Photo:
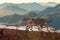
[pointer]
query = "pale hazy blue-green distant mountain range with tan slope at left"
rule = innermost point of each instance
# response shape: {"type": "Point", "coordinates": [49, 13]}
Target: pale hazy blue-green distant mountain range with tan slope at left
{"type": "Point", "coordinates": [21, 9]}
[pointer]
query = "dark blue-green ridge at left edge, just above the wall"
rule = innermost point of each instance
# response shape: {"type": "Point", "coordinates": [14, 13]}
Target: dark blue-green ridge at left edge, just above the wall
{"type": "Point", "coordinates": [11, 18]}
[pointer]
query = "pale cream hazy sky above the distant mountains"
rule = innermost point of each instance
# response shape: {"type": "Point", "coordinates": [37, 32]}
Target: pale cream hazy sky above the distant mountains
{"type": "Point", "coordinates": [28, 1]}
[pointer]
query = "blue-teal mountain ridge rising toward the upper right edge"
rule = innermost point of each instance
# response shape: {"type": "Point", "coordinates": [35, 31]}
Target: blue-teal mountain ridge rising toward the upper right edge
{"type": "Point", "coordinates": [49, 10]}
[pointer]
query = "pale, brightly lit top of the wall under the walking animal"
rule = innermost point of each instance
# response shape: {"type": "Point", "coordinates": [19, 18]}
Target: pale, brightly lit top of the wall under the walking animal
{"type": "Point", "coordinates": [35, 28]}
